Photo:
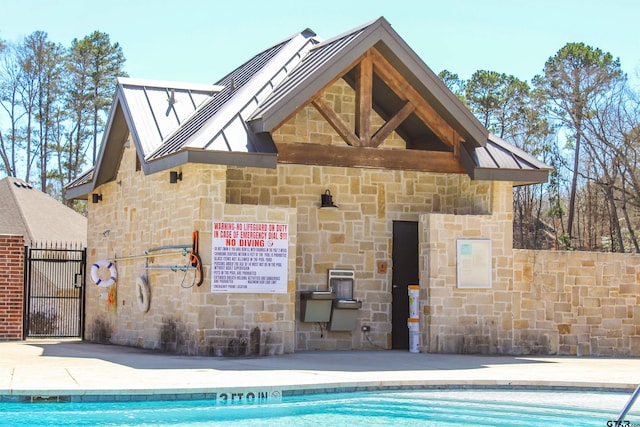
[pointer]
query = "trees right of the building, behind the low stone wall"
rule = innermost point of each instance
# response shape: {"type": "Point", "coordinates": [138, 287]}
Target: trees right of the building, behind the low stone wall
{"type": "Point", "coordinates": [580, 118]}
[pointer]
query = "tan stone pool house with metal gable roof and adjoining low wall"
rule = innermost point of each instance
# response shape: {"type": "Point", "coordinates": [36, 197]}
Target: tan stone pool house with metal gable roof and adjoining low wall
{"type": "Point", "coordinates": [218, 213]}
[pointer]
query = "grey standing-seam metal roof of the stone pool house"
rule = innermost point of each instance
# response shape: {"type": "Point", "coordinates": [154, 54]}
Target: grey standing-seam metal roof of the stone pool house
{"type": "Point", "coordinates": [231, 121]}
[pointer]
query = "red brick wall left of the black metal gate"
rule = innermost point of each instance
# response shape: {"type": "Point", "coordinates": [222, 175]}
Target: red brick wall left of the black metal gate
{"type": "Point", "coordinates": [11, 286]}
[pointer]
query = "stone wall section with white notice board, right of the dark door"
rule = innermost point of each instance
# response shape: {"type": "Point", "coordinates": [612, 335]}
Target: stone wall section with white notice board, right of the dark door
{"type": "Point", "coordinates": [461, 320]}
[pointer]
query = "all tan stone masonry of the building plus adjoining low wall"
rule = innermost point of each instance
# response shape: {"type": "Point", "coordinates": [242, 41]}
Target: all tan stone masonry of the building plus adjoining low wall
{"type": "Point", "coordinates": [538, 303]}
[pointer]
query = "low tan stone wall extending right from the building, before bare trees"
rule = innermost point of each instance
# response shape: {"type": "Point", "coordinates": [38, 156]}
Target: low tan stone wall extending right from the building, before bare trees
{"type": "Point", "coordinates": [576, 303]}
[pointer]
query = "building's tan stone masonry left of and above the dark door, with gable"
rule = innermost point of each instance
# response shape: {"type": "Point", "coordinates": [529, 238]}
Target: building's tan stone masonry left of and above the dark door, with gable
{"type": "Point", "coordinates": [139, 212]}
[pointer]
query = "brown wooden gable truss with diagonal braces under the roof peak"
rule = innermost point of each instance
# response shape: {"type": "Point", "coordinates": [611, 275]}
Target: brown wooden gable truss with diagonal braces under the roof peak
{"type": "Point", "coordinates": [364, 140]}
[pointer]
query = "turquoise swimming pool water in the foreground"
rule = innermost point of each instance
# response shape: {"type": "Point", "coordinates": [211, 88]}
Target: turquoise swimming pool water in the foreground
{"type": "Point", "coordinates": [462, 407]}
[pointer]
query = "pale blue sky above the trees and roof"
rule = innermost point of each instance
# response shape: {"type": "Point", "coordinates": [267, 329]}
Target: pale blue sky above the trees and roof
{"type": "Point", "coordinates": [202, 40]}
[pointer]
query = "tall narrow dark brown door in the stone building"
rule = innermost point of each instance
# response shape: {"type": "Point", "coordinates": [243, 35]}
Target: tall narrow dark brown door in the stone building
{"type": "Point", "coordinates": [405, 273]}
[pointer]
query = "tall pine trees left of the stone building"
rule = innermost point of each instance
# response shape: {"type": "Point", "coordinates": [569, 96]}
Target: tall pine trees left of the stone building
{"type": "Point", "coordinates": [56, 101]}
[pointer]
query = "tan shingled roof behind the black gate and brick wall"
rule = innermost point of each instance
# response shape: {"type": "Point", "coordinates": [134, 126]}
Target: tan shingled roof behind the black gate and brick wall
{"type": "Point", "coordinates": [27, 211]}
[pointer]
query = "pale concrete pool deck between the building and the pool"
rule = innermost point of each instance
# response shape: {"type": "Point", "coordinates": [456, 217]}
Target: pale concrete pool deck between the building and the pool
{"type": "Point", "coordinates": [48, 368]}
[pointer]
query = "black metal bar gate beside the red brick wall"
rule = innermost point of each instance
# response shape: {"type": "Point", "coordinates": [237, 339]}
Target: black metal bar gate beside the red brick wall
{"type": "Point", "coordinates": [54, 278]}
